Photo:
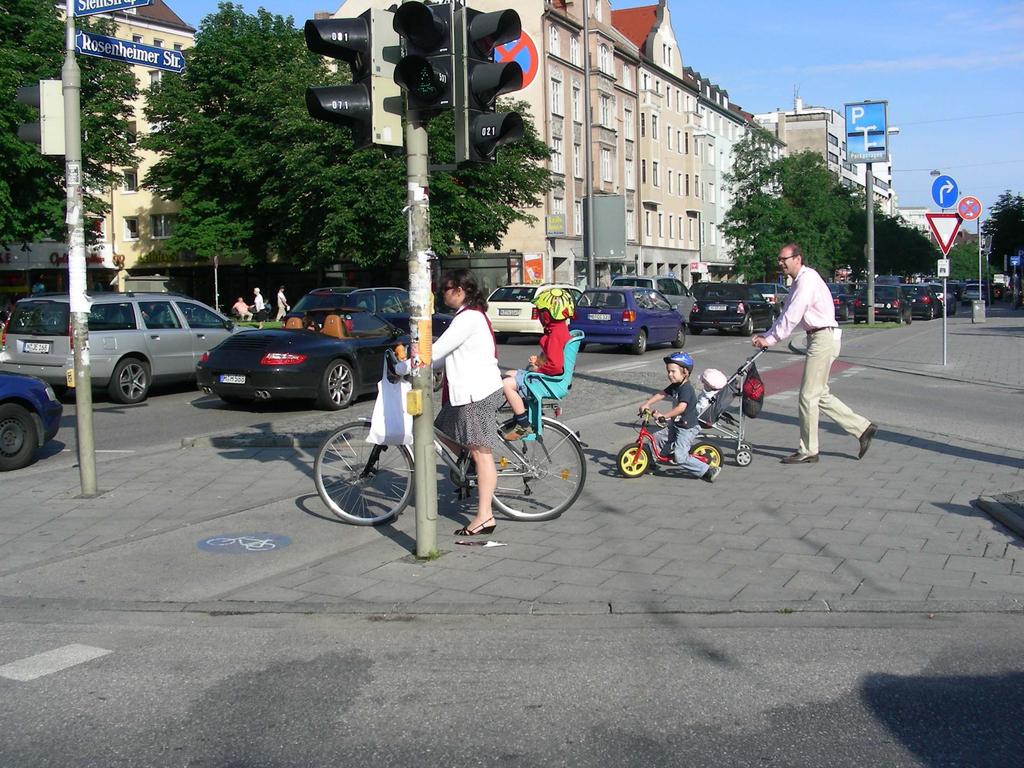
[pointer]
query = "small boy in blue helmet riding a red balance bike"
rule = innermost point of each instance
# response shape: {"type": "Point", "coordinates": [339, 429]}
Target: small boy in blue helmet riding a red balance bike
{"type": "Point", "coordinates": [682, 429]}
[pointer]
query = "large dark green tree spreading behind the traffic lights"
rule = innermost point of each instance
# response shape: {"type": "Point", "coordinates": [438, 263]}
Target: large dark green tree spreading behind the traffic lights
{"type": "Point", "coordinates": [257, 176]}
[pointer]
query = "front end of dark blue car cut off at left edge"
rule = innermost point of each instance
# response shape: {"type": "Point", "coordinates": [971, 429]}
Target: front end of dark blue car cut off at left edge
{"type": "Point", "coordinates": [30, 417]}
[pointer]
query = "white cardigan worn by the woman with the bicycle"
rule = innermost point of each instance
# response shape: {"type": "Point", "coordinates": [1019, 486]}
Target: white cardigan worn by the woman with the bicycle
{"type": "Point", "coordinates": [467, 352]}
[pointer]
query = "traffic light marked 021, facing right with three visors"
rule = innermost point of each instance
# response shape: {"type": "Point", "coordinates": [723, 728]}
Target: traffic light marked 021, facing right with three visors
{"type": "Point", "coordinates": [480, 131]}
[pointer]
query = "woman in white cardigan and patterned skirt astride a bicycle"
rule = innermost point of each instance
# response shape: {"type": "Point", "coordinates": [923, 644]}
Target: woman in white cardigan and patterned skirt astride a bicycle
{"type": "Point", "coordinates": [473, 389]}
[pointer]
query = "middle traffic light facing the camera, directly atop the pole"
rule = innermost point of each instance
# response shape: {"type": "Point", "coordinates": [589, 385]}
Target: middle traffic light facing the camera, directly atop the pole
{"type": "Point", "coordinates": [425, 73]}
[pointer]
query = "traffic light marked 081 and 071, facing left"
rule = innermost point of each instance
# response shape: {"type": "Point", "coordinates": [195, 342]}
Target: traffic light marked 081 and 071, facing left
{"type": "Point", "coordinates": [372, 106]}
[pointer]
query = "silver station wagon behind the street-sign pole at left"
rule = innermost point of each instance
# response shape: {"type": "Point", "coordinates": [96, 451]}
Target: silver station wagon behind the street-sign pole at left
{"type": "Point", "coordinates": [136, 339]}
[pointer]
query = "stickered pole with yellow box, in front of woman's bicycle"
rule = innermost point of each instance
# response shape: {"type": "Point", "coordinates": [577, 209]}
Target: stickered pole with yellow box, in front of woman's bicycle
{"type": "Point", "coordinates": [421, 330]}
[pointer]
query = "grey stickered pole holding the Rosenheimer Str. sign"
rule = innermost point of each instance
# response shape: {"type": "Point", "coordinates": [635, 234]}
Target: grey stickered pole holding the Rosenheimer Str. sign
{"type": "Point", "coordinates": [72, 84]}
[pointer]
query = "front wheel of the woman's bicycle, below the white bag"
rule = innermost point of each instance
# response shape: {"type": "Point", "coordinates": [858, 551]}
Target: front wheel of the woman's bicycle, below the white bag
{"type": "Point", "coordinates": [362, 483]}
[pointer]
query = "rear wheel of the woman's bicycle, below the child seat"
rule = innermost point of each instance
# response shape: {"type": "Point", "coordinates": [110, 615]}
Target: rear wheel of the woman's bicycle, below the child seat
{"type": "Point", "coordinates": [540, 480]}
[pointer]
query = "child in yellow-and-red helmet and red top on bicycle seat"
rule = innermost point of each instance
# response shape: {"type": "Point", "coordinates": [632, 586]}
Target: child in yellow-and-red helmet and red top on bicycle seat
{"type": "Point", "coordinates": [554, 308]}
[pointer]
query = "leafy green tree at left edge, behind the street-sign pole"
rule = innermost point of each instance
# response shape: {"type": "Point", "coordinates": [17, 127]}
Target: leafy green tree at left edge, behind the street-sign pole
{"type": "Point", "coordinates": [32, 187]}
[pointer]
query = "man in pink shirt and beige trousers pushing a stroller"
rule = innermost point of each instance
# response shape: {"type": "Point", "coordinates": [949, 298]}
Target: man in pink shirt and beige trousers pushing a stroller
{"type": "Point", "coordinates": [810, 309]}
